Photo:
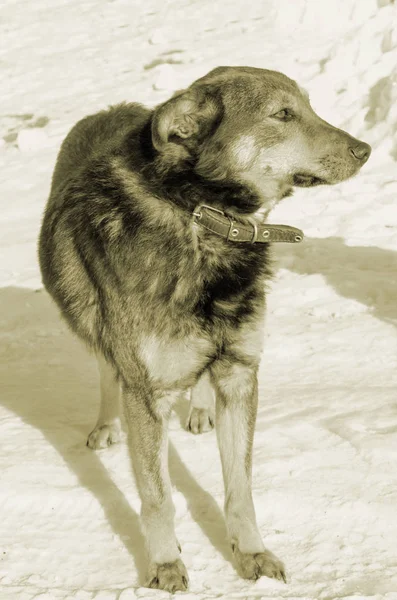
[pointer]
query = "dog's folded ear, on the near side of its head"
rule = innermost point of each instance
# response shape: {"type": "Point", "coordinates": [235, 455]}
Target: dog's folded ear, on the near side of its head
{"type": "Point", "coordinates": [180, 124]}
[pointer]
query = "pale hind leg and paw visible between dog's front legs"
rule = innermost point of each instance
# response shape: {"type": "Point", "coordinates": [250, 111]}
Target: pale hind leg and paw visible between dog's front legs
{"type": "Point", "coordinates": [202, 406]}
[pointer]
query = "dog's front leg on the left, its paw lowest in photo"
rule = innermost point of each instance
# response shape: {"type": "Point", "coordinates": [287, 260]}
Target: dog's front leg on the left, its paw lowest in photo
{"type": "Point", "coordinates": [147, 420]}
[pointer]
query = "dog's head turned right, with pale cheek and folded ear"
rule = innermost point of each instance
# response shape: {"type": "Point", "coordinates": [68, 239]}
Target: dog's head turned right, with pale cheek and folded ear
{"type": "Point", "coordinates": [255, 125]}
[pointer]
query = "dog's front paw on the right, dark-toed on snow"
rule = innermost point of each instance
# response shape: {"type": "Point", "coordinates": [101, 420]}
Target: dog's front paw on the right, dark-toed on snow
{"type": "Point", "coordinates": [253, 566]}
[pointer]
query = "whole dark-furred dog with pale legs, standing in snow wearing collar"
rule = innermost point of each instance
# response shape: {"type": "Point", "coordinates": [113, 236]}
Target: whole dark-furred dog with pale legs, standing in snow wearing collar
{"type": "Point", "coordinates": [154, 245]}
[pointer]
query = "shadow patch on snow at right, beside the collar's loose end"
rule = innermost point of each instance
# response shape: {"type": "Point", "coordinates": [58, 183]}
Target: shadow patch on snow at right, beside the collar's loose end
{"type": "Point", "coordinates": [366, 274]}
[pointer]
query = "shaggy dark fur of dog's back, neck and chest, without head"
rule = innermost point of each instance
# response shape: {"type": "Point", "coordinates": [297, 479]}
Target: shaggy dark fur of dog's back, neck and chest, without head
{"type": "Point", "coordinates": [117, 249]}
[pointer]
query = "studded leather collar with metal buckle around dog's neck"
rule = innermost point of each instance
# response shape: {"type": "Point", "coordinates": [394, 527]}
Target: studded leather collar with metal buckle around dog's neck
{"type": "Point", "coordinates": [234, 230]}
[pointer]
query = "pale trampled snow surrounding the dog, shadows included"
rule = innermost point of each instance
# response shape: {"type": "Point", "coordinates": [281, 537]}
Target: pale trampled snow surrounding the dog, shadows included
{"type": "Point", "coordinates": [325, 476]}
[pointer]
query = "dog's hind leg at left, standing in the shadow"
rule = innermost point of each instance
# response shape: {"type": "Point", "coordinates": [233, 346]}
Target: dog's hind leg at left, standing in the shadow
{"type": "Point", "coordinates": [108, 428]}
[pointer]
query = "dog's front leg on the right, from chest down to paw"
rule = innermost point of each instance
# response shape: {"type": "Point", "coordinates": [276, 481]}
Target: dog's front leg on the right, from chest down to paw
{"type": "Point", "coordinates": [236, 407]}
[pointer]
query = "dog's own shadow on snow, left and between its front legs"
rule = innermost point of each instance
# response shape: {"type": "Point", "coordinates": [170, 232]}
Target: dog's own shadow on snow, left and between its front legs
{"type": "Point", "coordinates": [50, 381]}
